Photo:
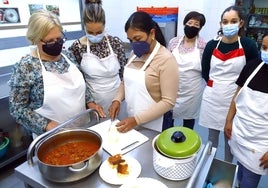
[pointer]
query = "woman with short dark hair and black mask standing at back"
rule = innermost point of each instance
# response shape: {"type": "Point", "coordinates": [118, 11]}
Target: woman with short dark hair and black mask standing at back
{"type": "Point", "coordinates": [188, 50]}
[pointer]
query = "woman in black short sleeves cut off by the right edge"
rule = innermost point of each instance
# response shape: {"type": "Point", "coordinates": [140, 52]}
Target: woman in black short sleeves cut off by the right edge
{"type": "Point", "coordinates": [247, 121]}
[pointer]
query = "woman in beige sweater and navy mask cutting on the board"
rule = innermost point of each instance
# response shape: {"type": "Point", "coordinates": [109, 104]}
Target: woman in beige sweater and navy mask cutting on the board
{"type": "Point", "coordinates": [150, 80]}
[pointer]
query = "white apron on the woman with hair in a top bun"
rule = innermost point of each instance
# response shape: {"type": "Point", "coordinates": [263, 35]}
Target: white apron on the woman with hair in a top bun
{"type": "Point", "coordinates": [102, 76]}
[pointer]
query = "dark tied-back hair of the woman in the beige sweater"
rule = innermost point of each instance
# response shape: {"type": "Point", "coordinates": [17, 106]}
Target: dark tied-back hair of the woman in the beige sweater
{"type": "Point", "coordinates": [143, 21]}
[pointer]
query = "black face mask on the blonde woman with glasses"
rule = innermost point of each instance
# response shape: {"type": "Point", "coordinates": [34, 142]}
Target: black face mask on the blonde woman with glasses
{"type": "Point", "coordinates": [53, 49]}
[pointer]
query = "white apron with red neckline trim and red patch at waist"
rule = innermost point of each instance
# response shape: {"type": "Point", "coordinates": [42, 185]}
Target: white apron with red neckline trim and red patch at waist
{"type": "Point", "coordinates": [217, 95]}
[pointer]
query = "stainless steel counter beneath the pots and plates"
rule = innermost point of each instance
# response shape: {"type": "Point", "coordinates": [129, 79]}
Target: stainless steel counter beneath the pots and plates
{"type": "Point", "coordinates": [32, 176]}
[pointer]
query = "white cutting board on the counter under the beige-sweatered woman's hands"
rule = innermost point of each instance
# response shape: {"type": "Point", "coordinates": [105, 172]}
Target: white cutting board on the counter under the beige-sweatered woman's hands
{"type": "Point", "coordinates": [115, 142]}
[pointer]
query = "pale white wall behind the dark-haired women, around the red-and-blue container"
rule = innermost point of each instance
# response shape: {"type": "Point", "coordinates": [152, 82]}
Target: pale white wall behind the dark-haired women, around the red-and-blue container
{"type": "Point", "coordinates": [118, 11]}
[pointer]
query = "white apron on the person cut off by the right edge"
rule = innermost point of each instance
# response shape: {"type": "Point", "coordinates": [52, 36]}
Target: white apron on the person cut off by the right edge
{"type": "Point", "coordinates": [249, 141]}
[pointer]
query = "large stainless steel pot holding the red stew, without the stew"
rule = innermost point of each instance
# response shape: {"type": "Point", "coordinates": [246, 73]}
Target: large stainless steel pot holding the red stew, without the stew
{"type": "Point", "coordinates": [61, 135]}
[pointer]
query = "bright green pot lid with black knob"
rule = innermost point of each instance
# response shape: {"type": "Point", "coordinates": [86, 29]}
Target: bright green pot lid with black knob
{"type": "Point", "coordinates": [178, 142]}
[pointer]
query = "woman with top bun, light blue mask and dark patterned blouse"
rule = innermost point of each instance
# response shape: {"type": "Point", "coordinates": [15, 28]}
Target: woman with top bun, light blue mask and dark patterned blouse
{"type": "Point", "coordinates": [101, 56]}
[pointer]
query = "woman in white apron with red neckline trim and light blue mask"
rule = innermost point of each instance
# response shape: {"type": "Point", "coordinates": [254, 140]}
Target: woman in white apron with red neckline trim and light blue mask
{"type": "Point", "coordinates": [222, 62]}
